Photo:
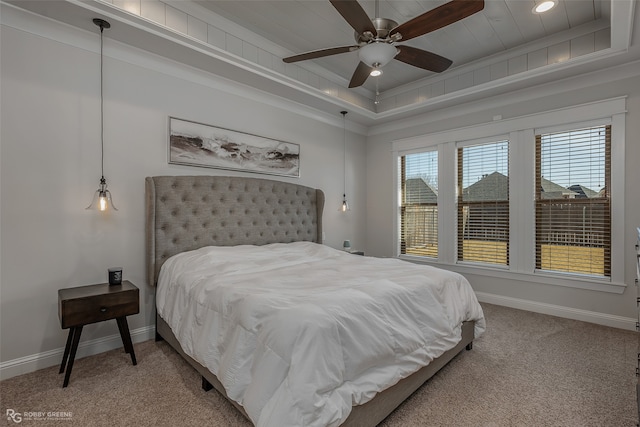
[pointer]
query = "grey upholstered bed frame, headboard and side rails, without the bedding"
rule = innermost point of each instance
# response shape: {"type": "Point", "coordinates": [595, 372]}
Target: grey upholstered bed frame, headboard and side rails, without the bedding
{"type": "Point", "coordinates": [188, 212]}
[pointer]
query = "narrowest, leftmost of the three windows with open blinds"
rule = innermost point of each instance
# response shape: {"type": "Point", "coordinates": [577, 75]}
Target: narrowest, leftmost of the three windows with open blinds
{"type": "Point", "coordinates": [419, 204]}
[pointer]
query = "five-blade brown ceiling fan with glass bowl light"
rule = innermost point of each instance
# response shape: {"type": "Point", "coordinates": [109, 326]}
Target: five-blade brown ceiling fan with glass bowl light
{"type": "Point", "coordinates": [376, 38]}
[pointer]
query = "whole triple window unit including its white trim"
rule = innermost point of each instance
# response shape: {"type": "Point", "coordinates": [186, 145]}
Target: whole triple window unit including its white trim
{"type": "Point", "coordinates": [537, 198]}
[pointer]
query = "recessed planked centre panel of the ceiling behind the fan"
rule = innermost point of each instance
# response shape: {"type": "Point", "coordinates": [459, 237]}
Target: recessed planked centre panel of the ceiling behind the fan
{"type": "Point", "coordinates": [305, 25]}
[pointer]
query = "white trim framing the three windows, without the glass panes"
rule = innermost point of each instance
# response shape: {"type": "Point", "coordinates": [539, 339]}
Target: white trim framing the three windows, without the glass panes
{"type": "Point", "coordinates": [520, 132]}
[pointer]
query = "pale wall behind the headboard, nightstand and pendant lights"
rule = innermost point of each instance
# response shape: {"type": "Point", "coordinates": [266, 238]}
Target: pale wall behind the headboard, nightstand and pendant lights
{"type": "Point", "coordinates": [50, 167]}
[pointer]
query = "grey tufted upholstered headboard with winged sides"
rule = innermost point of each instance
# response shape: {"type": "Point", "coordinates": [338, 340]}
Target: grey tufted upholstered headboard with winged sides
{"type": "Point", "coordinates": [188, 212]}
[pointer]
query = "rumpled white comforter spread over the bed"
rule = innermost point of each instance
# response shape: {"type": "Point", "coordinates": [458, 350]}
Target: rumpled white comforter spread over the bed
{"type": "Point", "coordinates": [298, 333]}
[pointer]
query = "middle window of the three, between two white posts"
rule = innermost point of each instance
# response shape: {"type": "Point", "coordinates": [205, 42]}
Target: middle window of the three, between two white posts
{"type": "Point", "coordinates": [483, 203]}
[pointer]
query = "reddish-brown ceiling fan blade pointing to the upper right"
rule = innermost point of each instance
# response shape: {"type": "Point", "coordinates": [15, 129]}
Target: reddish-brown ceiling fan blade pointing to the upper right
{"type": "Point", "coordinates": [437, 18]}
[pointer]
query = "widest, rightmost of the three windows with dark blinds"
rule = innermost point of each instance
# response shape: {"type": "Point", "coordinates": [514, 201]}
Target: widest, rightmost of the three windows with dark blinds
{"type": "Point", "coordinates": [573, 211]}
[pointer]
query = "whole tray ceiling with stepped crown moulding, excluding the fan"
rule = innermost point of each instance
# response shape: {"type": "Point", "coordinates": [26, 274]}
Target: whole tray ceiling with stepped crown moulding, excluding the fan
{"type": "Point", "coordinates": [503, 48]}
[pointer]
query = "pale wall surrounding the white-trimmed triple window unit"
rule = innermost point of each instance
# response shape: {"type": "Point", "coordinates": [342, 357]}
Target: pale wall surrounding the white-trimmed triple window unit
{"type": "Point", "coordinates": [601, 307]}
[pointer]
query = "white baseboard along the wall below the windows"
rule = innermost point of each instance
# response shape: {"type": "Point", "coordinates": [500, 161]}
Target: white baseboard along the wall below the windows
{"type": "Point", "coordinates": [560, 311]}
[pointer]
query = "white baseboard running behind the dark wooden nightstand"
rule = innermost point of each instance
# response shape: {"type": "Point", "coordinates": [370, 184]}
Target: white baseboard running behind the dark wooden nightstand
{"type": "Point", "coordinates": [24, 365]}
